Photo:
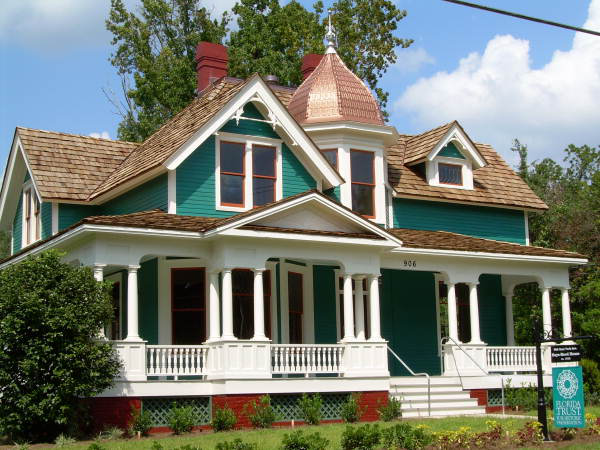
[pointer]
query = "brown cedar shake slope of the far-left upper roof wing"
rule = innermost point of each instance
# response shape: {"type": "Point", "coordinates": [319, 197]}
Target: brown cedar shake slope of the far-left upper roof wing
{"type": "Point", "coordinates": [69, 166]}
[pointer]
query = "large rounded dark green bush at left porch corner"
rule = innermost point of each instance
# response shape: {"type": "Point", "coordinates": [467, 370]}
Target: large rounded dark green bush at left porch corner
{"type": "Point", "coordinates": [50, 357]}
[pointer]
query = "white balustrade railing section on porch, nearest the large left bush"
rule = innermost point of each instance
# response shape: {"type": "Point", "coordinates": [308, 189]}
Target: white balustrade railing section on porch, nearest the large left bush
{"type": "Point", "coordinates": [176, 360]}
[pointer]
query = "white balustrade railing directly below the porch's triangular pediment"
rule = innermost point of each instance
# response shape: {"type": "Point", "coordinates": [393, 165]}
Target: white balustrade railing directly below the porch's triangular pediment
{"type": "Point", "coordinates": [306, 358]}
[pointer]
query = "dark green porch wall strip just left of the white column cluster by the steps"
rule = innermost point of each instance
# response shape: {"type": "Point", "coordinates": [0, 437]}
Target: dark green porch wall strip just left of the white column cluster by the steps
{"type": "Point", "coordinates": [324, 304]}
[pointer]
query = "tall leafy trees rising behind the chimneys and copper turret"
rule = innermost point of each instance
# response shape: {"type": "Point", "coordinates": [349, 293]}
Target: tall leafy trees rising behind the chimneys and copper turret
{"type": "Point", "coordinates": [155, 48]}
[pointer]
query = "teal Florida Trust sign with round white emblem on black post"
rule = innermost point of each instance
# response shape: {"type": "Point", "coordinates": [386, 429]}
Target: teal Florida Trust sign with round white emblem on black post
{"type": "Point", "coordinates": [567, 384]}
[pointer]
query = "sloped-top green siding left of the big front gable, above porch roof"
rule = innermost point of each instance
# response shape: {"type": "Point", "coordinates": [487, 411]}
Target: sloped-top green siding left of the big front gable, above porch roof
{"type": "Point", "coordinates": [150, 195]}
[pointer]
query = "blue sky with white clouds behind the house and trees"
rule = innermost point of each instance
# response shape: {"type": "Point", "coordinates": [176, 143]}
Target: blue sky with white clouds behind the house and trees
{"type": "Point", "coordinates": [500, 77]}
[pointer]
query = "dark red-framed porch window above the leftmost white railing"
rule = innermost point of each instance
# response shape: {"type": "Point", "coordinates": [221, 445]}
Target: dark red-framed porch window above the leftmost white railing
{"type": "Point", "coordinates": [188, 306]}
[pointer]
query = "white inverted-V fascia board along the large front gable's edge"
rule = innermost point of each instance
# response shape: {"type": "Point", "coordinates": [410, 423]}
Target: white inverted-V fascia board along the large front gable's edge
{"type": "Point", "coordinates": [256, 86]}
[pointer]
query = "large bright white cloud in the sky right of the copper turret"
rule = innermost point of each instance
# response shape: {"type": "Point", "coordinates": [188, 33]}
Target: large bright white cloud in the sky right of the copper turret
{"type": "Point", "coordinates": [498, 96]}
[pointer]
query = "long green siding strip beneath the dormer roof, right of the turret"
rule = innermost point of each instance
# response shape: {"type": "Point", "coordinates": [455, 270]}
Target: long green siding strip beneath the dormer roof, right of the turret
{"type": "Point", "coordinates": [479, 221]}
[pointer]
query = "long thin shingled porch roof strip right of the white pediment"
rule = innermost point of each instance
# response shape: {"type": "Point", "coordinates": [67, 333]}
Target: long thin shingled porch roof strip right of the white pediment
{"type": "Point", "coordinates": [444, 240]}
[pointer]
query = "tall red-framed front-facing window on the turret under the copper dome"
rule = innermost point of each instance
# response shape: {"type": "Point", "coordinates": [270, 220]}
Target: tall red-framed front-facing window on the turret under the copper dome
{"type": "Point", "coordinates": [363, 182]}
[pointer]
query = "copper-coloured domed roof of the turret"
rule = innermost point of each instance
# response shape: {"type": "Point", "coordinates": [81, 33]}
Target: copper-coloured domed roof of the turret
{"type": "Point", "coordinates": [333, 93]}
